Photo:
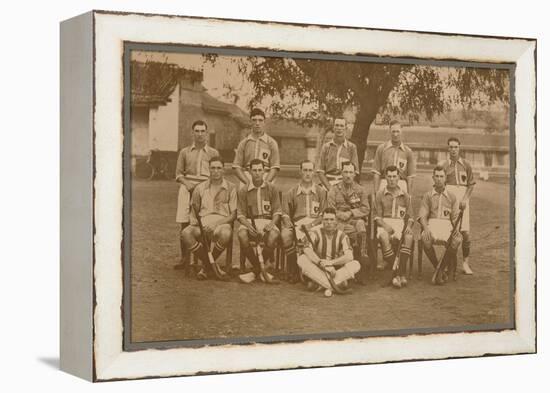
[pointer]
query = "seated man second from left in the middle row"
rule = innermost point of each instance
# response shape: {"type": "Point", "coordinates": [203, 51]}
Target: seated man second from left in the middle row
{"type": "Point", "coordinates": [258, 200]}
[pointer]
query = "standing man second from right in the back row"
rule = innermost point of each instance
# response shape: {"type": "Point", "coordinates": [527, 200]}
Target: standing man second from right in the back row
{"type": "Point", "coordinates": [394, 152]}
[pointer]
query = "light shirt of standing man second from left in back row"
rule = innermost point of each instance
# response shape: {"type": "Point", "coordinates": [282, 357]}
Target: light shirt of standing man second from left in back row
{"type": "Point", "coordinates": [264, 148]}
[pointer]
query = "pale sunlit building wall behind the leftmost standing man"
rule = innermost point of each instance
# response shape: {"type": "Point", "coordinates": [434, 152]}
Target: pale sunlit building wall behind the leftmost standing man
{"type": "Point", "coordinates": [163, 125]}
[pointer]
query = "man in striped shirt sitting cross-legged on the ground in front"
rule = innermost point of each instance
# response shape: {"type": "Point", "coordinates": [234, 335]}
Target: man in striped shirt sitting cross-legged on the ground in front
{"type": "Point", "coordinates": [330, 253]}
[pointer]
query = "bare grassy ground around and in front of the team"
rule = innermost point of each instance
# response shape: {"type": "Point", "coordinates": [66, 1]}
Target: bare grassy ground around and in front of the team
{"type": "Point", "coordinates": [167, 306]}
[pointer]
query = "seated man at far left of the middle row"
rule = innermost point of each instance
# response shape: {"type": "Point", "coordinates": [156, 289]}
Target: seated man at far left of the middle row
{"type": "Point", "coordinates": [215, 200]}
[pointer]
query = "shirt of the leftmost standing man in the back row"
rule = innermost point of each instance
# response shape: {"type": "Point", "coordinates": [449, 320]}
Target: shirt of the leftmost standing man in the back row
{"type": "Point", "coordinates": [194, 163]}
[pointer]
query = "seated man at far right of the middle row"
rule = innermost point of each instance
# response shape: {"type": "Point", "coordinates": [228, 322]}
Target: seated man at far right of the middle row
{"type": "Point", "coordinates": [438, 212]}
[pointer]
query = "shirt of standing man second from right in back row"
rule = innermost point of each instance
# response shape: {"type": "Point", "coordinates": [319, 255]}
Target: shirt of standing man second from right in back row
{"type": "Point", "coordinates": [401, 156]}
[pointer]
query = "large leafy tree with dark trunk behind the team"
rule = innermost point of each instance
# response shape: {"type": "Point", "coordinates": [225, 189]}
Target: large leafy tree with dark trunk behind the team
{"type": "Point", "coordinates": [298, 88]}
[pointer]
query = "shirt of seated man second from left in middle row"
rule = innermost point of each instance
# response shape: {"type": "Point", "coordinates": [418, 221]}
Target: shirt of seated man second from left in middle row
{"type": "Point", "coordinates": [263, 201]}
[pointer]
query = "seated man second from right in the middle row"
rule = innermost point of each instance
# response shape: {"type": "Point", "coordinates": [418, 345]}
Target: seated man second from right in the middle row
{"type": "Point", "coordinates": [392, 206]}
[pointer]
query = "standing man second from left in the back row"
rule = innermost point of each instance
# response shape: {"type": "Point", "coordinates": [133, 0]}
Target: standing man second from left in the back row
{"type": "Point", "coordinates": [260, 146]}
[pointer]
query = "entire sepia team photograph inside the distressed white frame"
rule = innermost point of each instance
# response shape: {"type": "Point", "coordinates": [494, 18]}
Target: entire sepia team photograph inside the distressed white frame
{"type": "Point", "coordinates": [284, 198]}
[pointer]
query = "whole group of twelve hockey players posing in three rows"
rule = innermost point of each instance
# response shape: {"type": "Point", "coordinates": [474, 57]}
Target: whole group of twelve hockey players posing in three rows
{"type": "Point", "coordinates": [332, 213]}
